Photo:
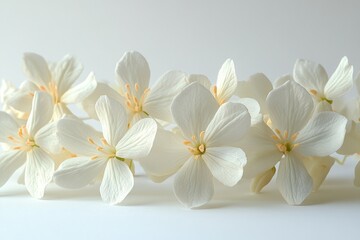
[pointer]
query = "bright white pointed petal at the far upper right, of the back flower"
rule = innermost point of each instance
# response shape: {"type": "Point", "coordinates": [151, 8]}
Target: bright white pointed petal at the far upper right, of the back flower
{"type": "Point", "coordinates": [341, 81]}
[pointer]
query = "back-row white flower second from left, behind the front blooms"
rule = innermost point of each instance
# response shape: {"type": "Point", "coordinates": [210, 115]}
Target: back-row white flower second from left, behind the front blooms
{"type": "Point", "coordinates": [132, 90]}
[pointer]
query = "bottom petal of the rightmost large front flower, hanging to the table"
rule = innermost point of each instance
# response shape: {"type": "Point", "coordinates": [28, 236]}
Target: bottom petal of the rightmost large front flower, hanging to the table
{"type": "Point", "coordinates": [293, 180]}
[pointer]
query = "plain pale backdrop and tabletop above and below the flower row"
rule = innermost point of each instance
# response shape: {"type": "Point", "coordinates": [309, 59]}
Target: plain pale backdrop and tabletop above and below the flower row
{"type": "Point", "coordinates": [196, 37]}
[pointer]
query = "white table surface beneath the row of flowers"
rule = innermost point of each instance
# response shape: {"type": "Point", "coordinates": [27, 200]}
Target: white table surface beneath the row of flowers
{"type": "Point", "coordinates": [152, 212]}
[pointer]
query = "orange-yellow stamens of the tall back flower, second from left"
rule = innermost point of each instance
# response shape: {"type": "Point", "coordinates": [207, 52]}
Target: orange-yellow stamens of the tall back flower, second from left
{"type": "Point", "coordinates": [135, 100]}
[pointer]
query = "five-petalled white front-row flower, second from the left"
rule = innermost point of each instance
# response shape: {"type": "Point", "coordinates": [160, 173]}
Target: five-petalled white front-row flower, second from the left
{"type": "Point", "coordinates": [105, 156]}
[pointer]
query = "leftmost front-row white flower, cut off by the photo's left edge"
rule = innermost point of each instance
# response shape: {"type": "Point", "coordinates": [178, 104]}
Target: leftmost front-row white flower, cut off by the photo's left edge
{"type": "Point", "coordinates": [30, 144]}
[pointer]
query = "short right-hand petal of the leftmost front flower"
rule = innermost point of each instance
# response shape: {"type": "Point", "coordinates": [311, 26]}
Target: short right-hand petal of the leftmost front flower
{"type": "Point", "coordinates": [47, 138]}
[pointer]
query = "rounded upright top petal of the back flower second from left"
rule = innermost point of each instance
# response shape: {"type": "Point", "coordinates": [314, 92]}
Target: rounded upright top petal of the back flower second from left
{"type": "Point", "coordinates": [133, 68]}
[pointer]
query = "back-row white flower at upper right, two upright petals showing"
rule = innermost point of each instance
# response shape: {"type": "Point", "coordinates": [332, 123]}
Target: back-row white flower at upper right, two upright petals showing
{"type": "Point", "coordinates": [324, 90]}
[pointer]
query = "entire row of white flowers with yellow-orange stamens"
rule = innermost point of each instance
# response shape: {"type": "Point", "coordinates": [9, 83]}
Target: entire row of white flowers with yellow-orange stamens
{"type": "Point", "coordinates": [181, 126]}
